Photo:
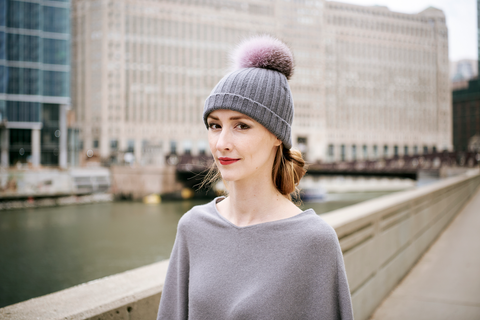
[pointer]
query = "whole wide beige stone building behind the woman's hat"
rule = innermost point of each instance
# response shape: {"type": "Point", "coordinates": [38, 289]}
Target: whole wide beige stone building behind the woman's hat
{"type": "Point", "coordinates": [365, 76]}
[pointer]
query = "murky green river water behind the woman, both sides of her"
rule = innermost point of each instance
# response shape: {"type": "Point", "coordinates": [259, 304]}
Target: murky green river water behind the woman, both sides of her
{"type": "Point", "coordinates": [43, 250]}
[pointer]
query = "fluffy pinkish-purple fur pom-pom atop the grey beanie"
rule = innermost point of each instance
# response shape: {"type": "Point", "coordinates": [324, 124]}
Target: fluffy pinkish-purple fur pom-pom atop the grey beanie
{"type": "Point", "coordinates": [264, 52]}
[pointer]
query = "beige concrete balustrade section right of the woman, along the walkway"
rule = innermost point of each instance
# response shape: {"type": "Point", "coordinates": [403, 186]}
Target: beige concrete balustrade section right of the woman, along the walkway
{"type": "Point", "coordinates": [381, 239]}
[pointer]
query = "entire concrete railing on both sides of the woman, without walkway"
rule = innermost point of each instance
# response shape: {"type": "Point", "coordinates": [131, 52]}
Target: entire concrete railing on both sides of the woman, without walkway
{"type": "Point", "coordinates": [381, 240]}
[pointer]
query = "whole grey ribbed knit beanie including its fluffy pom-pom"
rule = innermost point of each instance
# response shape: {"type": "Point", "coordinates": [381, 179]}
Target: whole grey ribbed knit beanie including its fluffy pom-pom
{"type": "Point", "coordinates": [258, 87]}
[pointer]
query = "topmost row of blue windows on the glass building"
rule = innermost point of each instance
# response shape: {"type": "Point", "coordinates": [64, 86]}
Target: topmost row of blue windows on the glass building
{"type": "Point", "coordinates": [34, 16]}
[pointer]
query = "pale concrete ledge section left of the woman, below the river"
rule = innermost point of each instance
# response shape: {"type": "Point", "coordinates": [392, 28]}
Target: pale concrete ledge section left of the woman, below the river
{"type": "Point", "coordinates": [113, 294]}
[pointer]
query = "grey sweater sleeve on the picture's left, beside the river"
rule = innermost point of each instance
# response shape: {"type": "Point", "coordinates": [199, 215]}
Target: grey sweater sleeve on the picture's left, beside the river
{"type": "Point", "coordinates": [174, 298]}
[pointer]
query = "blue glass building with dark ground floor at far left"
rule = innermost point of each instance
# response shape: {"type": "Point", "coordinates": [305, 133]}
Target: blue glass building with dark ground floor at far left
{"type": "Point", "coordinates": [34, 81]}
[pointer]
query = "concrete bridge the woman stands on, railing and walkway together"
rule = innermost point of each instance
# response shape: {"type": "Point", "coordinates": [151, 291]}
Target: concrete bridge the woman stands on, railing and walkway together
{"type": "Point", "coordinates": [383, 241]}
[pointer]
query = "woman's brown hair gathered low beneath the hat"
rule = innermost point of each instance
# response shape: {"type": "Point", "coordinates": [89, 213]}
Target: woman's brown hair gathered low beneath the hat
{"type": "Point", "coordinates": [287, 171]}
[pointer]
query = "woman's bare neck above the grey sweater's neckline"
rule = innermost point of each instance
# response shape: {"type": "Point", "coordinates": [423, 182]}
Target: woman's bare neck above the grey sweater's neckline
{"type": "Point", "coordinates": [256, 202]}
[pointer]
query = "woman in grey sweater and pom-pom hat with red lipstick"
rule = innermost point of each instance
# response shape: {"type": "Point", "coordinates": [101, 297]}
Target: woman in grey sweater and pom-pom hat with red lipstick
{"type": "Point", "coordinates": [254, 254]}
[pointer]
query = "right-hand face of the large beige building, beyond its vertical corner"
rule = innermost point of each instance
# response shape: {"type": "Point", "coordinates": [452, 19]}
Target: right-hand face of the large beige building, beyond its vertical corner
{"type": "Point", "coordinates": [387, 85]}
